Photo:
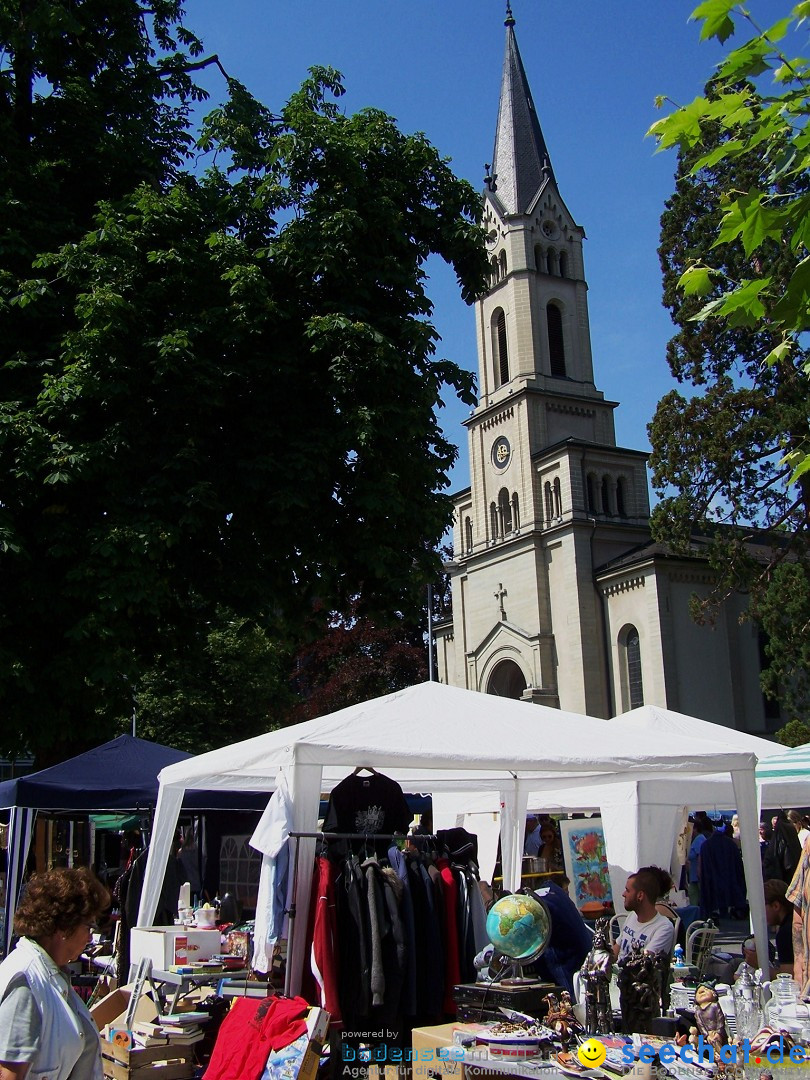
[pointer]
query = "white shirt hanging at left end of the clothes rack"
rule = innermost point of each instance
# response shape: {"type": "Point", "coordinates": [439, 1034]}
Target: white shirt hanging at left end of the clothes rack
{"type": "Point", "coordinates": [272, 839]}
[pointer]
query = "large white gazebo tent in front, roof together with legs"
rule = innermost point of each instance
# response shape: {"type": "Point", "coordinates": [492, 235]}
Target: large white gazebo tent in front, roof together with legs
{"type": "Point", "coordinates": [436, 738]}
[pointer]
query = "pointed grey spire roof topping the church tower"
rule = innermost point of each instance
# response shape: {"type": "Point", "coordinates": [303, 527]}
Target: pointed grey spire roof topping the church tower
{"type": "Point", "coordinates": [521, 163]}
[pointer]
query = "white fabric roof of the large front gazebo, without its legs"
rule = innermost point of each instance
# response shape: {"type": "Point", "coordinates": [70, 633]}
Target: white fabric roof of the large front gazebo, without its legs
{"type": "Point", "coordinates": [433, 737]}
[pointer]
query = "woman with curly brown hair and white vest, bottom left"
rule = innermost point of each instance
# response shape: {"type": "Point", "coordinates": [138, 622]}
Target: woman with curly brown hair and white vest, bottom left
{"type": "Point", "coordinates": [46, 1030]}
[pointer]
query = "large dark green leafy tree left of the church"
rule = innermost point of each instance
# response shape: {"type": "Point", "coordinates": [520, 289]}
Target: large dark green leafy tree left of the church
{"type": "Point", "coordinates": [220, 387]}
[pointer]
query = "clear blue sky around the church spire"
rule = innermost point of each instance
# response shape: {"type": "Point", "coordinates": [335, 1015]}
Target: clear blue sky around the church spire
{"type": "Point", "coordinates": [595, 70]}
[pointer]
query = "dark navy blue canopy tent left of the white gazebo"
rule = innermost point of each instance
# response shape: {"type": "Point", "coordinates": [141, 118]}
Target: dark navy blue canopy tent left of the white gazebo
{"type": "Point", "coordinates": [120, 775]}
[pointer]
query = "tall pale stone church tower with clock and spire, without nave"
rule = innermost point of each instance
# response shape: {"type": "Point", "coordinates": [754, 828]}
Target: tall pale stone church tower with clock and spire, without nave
{"type": "Point", "coordinates": [552, 497]}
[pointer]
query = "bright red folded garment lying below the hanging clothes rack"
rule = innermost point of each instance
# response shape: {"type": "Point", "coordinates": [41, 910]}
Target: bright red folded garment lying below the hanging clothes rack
{"type": "Point", "coordinates": [253, 1028]}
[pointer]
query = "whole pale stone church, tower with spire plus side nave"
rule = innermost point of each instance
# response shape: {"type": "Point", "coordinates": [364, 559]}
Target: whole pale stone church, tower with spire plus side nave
{"type": "Point", "coordinates": [560, 596]}
